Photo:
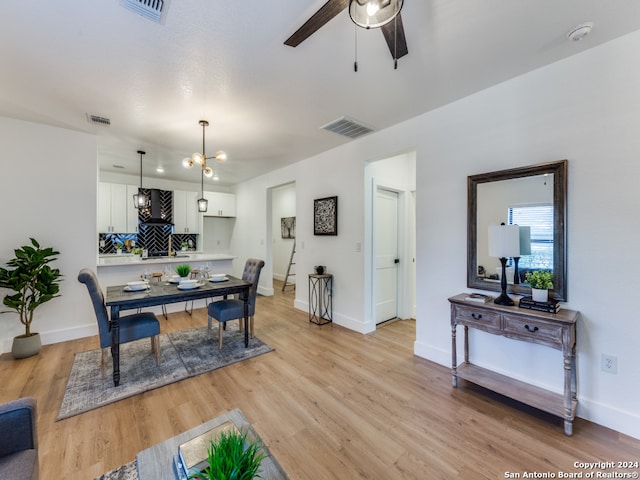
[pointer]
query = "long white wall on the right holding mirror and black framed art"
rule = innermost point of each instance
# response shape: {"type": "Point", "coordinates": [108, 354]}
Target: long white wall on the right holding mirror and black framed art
{"type": "Point", "coordinates": [584, 109]}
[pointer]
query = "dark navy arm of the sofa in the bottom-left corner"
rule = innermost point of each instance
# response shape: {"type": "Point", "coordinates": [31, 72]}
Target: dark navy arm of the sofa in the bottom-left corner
{"type": "Point", "coordinates": [18, 422]}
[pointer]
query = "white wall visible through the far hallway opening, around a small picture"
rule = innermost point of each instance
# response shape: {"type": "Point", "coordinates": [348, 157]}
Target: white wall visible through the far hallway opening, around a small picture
{"type": "Point", "coordinates": [283, 204]}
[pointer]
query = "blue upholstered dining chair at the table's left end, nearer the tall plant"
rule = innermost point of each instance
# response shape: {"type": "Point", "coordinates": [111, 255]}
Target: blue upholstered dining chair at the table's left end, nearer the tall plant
{"type": "Point", "coordinates": [132, 327]}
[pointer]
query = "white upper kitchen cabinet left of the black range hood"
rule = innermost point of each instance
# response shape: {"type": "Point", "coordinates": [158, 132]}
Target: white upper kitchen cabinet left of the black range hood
{"type": "Point", "coordinates": [116, 213]}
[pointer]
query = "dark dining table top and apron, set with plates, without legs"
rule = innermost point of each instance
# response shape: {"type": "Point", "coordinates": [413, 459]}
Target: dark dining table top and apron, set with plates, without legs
{"type": "Point", "coordinates": [165, 292]}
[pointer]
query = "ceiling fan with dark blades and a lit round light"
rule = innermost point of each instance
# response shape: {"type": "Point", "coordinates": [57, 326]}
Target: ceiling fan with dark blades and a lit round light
{"type": "Point", "coordinates": [364, 13]}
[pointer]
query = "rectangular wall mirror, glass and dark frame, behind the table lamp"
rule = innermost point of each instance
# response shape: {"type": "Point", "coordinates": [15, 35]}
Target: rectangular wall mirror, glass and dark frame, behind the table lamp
{"type": "Point", "coordinates": [533, 197]}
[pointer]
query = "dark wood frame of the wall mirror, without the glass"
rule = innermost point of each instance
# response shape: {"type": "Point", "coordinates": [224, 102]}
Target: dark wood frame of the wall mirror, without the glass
{"type": "Point", "coordinates": [559, 171]}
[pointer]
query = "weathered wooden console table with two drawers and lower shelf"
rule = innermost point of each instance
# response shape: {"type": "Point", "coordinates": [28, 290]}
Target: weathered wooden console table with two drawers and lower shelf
{"type": "Point", "coordinates": [553, 330]}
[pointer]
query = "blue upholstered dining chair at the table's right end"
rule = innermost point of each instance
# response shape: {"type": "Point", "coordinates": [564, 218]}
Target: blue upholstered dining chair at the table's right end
{"type": "Point", "coordinates": [233, 309]}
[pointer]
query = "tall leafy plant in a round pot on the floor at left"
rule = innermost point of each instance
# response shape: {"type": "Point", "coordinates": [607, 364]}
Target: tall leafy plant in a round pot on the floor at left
{"type": "Point", "coordinates": [34, 283]}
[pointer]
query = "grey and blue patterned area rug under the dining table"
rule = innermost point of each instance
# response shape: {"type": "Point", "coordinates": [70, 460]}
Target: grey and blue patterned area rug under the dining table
{"type": "Point", "coordinates": [184, 354]}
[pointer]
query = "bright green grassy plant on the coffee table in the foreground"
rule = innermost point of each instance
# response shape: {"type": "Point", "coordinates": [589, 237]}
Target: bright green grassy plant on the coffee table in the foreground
{"type": "Point", "coordinates": [231, 457]}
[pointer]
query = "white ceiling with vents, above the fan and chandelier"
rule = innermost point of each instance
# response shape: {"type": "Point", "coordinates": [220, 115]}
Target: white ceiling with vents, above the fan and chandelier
{"type": "Point", "coordinates": [225, 61]}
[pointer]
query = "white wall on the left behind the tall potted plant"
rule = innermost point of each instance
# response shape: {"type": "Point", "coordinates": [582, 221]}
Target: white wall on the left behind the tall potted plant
{"type": "Point", "coordinates": [48, 191]}
